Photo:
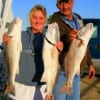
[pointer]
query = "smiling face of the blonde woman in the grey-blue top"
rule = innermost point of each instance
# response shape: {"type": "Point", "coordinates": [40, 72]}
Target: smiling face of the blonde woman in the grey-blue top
{"type": "Point", "coordinates": [38, 21]}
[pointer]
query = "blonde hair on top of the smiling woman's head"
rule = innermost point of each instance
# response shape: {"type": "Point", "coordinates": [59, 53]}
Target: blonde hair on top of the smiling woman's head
{"type": "Point", "coordinates": [37, 8]}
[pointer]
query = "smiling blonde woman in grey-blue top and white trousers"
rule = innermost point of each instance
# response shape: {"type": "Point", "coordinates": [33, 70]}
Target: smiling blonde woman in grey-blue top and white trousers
{"type": "Point", "coordinates": [28, 85]}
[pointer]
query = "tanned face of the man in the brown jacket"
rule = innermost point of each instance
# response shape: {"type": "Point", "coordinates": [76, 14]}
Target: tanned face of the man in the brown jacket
{"type": "Point", "coordinates": [65, 7]}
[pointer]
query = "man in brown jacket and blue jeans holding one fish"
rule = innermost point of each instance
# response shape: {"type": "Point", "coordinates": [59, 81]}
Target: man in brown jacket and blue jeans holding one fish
{"type": "Point", "coordinates": [69, 24]}
